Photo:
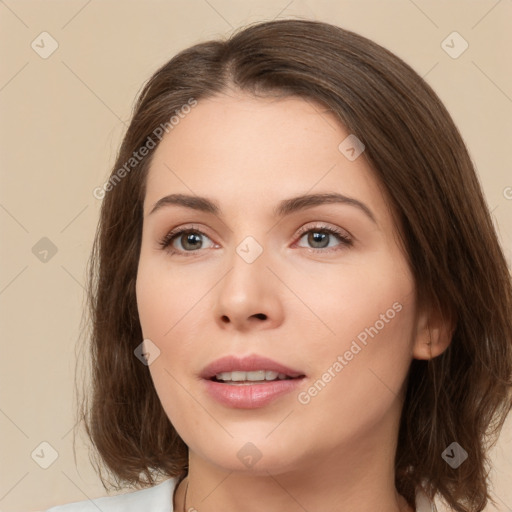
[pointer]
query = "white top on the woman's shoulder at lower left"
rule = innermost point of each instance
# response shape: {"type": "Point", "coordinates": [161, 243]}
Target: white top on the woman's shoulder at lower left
{"type": "Point", "coordinates": [153, 499]}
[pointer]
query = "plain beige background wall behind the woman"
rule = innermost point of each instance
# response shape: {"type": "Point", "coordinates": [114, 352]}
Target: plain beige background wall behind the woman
{"type": "Point", "coordinates": [62, 118]}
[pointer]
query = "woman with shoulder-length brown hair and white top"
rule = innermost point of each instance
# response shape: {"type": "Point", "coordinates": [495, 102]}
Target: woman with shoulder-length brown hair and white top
{"type": "Point", "coordinates": [298, 298]}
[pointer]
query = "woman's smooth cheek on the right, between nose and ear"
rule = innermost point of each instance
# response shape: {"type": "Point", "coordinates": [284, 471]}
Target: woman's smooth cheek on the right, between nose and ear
{"type": "Point", "coordinates": [368, 316]}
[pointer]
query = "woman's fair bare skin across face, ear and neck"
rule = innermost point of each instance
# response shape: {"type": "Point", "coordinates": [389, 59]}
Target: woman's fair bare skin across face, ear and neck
{"type": "Point", "coordinates": [299, 307]}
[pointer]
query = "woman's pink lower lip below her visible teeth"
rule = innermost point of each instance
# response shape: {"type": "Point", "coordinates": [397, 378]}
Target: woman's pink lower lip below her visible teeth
{"type": "Point", "coordinates": [250, 396]}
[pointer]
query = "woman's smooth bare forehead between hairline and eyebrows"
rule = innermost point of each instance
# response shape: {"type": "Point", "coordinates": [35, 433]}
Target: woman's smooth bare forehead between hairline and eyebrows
{"type": "Point", "coordinates": [250, 149]}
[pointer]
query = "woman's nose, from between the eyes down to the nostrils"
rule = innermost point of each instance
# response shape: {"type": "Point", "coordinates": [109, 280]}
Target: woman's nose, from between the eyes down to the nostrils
{"type": "Point", "coordinates": [249, 297]}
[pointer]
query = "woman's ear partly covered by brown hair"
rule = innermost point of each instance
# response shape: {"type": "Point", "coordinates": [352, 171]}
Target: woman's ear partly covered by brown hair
{"type": "Point", "coordinates": [434, 334]}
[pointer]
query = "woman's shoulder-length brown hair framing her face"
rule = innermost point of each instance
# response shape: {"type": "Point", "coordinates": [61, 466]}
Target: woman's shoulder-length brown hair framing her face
{"type": "Point", "coordinates": [419, 157]}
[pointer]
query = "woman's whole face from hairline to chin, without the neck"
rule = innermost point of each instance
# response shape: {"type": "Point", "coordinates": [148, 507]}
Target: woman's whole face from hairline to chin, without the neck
{"type": "Point", "coordinates": [260, 275]}
